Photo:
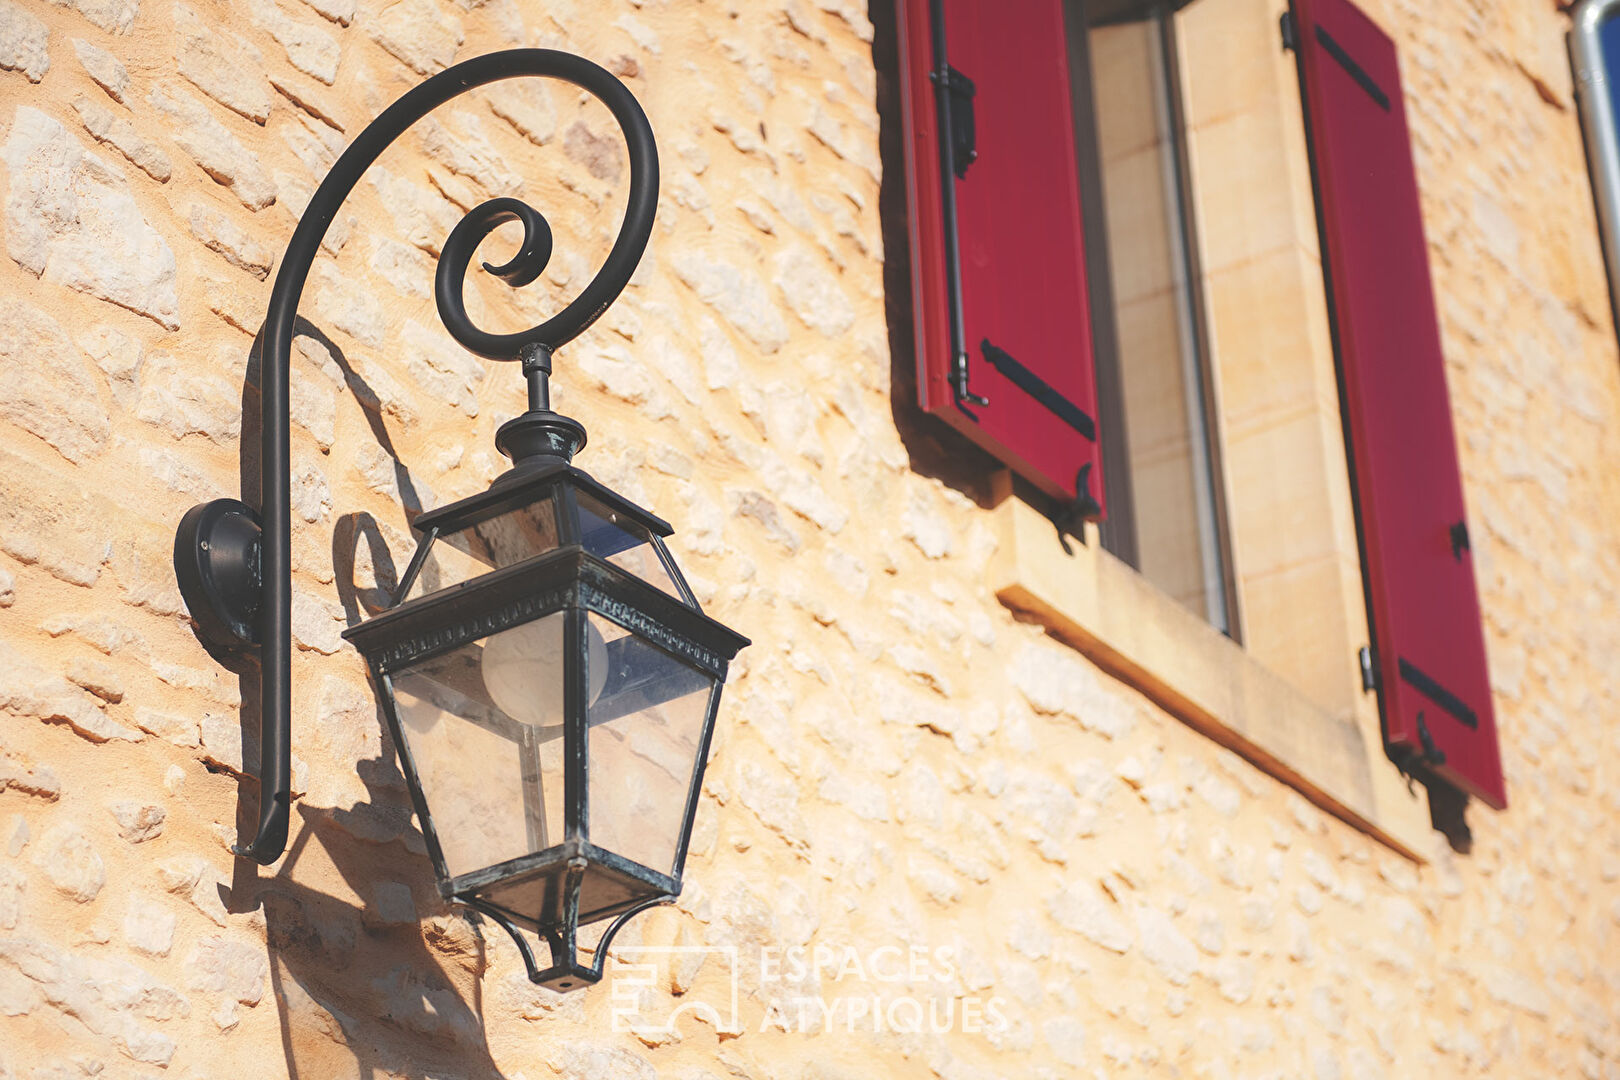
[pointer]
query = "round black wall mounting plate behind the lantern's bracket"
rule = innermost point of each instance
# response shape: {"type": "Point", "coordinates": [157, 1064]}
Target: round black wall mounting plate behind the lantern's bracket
{"type": "Point", "coordinates": [218, 566]}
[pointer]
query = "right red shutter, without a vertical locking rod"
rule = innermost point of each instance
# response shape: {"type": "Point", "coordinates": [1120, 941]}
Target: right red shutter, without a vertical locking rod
{"type": "Point", "coordinates": [1426, 627]}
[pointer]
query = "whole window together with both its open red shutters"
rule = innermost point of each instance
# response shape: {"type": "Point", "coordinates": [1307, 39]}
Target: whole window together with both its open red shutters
{"type": "Point", "coordinates": [1180, 287]}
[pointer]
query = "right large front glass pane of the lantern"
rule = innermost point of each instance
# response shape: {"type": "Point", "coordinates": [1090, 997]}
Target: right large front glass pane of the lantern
{"type": "Point", "coordinates": [646, 736]}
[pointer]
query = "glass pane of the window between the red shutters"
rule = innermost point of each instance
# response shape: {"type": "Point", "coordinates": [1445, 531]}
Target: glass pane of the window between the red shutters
{"type": "Point", "coordinates": [1154, 281]}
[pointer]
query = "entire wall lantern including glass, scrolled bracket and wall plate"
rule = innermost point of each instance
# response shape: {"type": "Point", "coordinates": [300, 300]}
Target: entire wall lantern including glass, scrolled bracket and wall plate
{"type": "Point", "coordinates": [553, 686]}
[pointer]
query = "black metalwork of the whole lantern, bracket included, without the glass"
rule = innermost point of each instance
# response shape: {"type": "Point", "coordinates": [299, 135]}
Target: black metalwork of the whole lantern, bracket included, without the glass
{"type": "Point", "coordinates": [234, 564]}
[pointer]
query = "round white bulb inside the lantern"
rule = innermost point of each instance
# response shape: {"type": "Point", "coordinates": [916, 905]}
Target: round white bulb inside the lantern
{"type": "Point", "coordinates": [524, 670]}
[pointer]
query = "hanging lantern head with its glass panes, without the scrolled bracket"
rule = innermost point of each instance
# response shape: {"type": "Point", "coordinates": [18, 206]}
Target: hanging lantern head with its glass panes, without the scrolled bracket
{"type": "Point", "coordinates": [553, 699]}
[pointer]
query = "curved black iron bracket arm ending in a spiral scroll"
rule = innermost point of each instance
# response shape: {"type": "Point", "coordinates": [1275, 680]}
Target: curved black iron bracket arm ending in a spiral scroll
{"type": "Point", "coordinates": [276, 614]}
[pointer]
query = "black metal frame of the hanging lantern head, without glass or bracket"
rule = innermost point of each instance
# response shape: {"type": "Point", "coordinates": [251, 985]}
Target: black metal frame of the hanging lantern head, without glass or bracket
{"type": "Point", "coordinates": [573, 580]}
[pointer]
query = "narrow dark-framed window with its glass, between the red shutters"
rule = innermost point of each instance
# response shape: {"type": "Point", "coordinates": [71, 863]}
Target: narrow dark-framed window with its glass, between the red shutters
{"type": "Point", "coordinates": [1159, 451]}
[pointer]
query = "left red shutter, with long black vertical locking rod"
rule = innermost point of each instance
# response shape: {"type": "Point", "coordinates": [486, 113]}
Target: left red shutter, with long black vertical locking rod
{"type": "Point", "coordinates": [1026, 317]}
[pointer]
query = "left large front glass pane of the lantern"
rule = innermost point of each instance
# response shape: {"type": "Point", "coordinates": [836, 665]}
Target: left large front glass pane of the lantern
{"type": "Point", "coordinates": [484, 725]}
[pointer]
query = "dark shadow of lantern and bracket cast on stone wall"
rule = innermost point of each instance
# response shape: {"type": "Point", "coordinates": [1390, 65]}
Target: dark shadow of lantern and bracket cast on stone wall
{"type": "Point", "coordinates": [356, 992]}
